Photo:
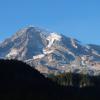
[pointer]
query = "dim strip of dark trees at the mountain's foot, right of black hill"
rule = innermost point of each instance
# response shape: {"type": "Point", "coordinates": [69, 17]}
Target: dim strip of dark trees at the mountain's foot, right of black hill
{"type": "Point", "coordinates": [75, 80]}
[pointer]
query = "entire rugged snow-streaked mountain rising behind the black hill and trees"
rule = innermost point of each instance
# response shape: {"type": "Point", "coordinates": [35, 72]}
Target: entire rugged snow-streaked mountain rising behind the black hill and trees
{"type": "Point", "coordinates": [50, 52]}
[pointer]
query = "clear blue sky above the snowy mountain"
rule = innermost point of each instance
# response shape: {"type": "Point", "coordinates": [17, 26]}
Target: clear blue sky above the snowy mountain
{"type": "Point", "coordinates": [75, 18]}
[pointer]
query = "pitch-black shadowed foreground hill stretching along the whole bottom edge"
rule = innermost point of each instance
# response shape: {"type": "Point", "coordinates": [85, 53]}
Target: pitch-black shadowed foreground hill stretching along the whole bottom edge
{"type": "Point", "coordinates": [20, 81]}
